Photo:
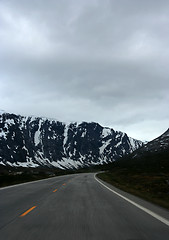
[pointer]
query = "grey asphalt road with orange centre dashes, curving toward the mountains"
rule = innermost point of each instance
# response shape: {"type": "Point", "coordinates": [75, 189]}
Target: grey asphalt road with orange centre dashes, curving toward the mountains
{"type": "Point", "coordinates": [77, 207]}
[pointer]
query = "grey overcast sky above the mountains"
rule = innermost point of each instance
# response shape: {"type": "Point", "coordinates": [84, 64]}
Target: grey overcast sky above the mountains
{"type": "Point", "coordinates": [87, 60]}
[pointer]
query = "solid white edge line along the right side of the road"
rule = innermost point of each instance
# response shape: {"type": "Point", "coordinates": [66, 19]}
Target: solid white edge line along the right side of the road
{"type": "Point", "coordinates": [158, 217]}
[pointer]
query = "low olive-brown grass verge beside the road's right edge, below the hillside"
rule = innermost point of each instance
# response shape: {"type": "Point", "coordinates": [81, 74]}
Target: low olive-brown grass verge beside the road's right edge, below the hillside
{"type": "Point", "coordinates": [153, 187]}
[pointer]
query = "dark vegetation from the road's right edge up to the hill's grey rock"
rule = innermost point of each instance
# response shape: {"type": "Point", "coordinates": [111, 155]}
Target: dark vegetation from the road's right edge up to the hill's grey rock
{"type": "Point", "coordinates": [146, 176]}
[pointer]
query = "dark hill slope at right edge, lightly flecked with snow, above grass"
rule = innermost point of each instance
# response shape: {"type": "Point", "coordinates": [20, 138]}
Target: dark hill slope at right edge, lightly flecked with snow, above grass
{"type": "Point", "coordinates": [152, 157]}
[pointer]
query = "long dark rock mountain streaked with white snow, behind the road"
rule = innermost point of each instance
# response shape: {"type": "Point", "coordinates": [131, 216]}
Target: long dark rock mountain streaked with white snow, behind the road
{"type": "Point", "coordinates": [35, 141]}
